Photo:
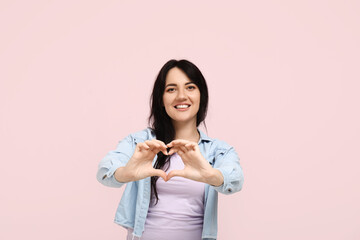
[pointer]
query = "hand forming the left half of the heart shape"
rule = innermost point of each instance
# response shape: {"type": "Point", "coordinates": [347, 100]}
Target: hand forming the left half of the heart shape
{"type": "Point", "coordinates": [140, 164]}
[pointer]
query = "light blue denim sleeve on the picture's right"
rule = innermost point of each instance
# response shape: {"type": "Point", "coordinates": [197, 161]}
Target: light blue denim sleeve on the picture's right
{"type": "Point", "coordinates": [228, 163]}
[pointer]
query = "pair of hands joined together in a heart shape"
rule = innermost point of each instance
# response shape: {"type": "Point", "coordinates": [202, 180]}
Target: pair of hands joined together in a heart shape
{"type": "Point", "coordinates": [196, 167]}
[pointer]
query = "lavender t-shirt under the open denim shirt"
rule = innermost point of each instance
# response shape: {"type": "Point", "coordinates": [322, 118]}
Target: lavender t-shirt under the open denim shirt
{"type": "Point", "coordinates": [179, 213]}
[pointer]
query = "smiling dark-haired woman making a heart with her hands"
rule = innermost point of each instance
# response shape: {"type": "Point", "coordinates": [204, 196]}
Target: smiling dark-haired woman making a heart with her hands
{"type": "Point", "coordinates": [173, 170]}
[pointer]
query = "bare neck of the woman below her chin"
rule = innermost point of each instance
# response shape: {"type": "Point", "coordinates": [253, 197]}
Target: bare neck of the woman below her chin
{"type": "Point", "coordinates": [187, 131]}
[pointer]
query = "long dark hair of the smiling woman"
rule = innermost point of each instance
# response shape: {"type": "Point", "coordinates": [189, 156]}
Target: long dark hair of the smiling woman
{"type": "Point", "coordinates": [159, 120]}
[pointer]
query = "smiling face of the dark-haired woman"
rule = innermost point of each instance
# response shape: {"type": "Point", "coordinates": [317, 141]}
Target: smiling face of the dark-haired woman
{"type": "Point", "coordinates": [181, 97]}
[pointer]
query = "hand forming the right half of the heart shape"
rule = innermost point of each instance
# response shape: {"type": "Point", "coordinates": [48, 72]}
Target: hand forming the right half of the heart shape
{"type": "Point", "coordinates": [196, 167]}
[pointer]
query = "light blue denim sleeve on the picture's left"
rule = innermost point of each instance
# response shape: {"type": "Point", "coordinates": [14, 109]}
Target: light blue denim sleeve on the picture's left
{"type": "Point", "coordinates": [113, 160]}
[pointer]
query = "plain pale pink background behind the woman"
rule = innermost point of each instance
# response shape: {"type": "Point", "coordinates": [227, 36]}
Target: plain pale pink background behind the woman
{"type": "Point", "coordinates": [283, 76]}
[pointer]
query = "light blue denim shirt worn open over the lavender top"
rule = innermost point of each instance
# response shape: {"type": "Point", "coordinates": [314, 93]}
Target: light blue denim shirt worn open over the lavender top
{"type": "Point", "coordinates": [134, 204]}
